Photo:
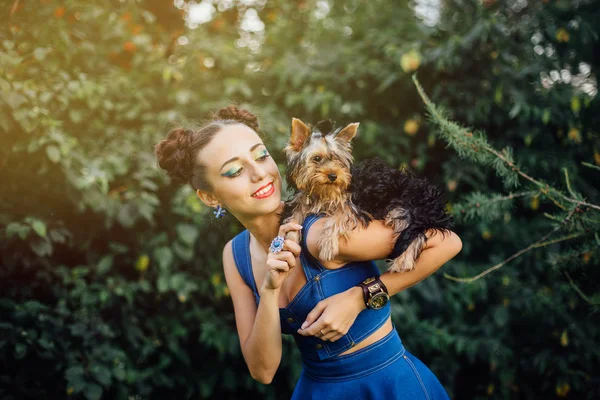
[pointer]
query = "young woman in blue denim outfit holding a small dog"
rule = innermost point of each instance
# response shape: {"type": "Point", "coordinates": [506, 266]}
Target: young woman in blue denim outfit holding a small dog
{"type": "Point", "coordinates": [348, 344]}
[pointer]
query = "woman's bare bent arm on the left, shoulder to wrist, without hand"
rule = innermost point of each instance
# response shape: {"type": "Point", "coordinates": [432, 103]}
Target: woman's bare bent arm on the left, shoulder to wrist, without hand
{"type": "Point", "coordinates": [259, 328]}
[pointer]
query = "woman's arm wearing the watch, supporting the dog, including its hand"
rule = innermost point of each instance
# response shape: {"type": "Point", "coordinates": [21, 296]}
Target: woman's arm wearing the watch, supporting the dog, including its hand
{"type": "Point", "coordinates": [337, 313]}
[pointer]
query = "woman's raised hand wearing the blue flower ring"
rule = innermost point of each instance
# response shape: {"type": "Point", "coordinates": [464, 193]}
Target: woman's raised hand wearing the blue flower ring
{"type": "Point", "coordinates": [279, 265]}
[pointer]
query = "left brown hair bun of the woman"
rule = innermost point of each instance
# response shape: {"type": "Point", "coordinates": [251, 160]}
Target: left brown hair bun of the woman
{"type": "Point", "coordinates": [173, 154]}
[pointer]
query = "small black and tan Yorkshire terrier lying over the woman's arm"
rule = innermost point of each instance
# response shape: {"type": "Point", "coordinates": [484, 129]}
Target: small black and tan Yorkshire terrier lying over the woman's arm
{"type": "Point", "coordinates": [321, 173]}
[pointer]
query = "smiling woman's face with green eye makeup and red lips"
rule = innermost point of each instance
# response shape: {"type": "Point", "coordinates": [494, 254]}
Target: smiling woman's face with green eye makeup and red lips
{"type": "Point", "coordinates": [243, 176]}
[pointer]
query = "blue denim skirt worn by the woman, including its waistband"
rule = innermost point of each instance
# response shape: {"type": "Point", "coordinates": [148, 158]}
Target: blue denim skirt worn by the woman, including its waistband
{"type": "Point", "coordinates": [382, 370]}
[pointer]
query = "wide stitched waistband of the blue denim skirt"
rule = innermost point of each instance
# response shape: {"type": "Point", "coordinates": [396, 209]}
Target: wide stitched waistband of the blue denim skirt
{"type": "Point", "coordinates": [365, 361]}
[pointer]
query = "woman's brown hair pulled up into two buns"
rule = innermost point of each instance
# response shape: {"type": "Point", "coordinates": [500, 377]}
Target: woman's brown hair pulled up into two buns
{"type": "Point", "coordinates": [177, 153]}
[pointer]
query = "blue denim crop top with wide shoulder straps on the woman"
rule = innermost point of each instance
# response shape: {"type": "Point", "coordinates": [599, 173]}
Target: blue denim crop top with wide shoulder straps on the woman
{"type": "Point", "coordinates": [321, 283]}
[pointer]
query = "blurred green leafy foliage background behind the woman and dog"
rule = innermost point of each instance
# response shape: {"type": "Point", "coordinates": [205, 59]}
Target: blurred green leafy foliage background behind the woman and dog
{"type": "Point", "coordinates": [111, 283]}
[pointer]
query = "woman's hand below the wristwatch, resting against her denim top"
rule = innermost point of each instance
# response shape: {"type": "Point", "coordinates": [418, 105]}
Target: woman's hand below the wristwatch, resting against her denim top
{"type": "Point", "coordinates": [332, 317]}
